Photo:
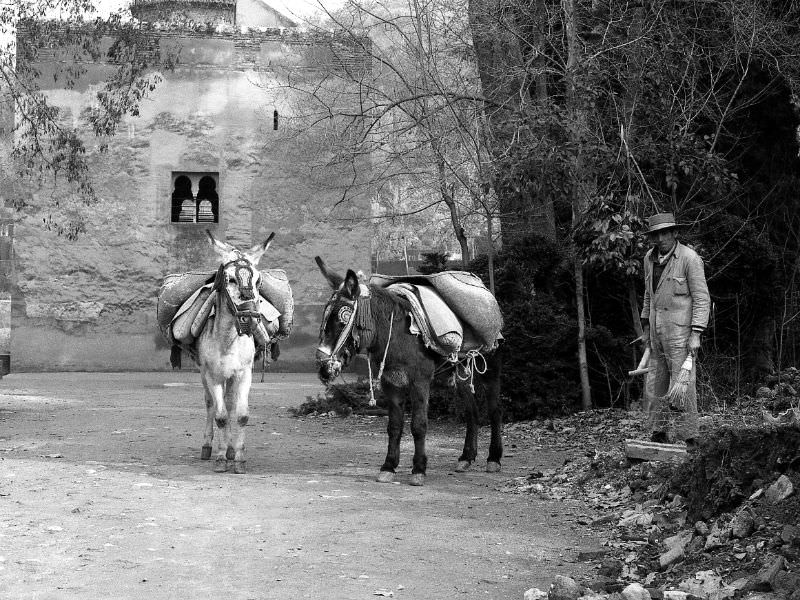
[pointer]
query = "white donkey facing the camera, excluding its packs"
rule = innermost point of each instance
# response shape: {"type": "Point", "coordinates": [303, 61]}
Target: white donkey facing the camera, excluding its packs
{"type": "Point", "coordinates": [225, 352]}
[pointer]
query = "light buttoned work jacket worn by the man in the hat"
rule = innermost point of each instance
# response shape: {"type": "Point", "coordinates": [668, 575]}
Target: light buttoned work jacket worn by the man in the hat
{"type": "Point", "coordinates": [681, 295]}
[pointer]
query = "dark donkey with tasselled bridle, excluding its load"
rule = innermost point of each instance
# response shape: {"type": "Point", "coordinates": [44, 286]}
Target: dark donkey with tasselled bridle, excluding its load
{"type": "Point", "coordinates": [373, 320]}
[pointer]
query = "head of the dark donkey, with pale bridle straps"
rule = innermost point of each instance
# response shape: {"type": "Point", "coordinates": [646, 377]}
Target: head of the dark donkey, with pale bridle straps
{"type": "Point", "coordinates": [336, 342]}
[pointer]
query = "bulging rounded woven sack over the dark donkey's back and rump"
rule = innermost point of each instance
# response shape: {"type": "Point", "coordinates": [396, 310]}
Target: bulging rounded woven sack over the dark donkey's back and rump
{"type": "Point", "coordinates": [466, 295]}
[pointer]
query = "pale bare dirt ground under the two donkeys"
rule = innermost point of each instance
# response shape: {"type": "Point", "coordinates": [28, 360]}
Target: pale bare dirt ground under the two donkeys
{"type": "Point", "coordinates": [103, 495]}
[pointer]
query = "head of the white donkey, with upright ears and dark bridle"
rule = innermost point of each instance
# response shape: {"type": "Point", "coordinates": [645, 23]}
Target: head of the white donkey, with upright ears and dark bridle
{"type": "Point", "coordinates": [238, 277]}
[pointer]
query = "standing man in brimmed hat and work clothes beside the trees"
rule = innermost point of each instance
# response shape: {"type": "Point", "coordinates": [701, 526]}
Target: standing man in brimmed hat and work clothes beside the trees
{"type": "Point", "coordinates": [674, 316]}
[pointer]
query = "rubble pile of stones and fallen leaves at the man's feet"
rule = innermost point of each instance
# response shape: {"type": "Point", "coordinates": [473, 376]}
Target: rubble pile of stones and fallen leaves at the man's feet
{"type": "Point", "coordinates": [725, 523]}
